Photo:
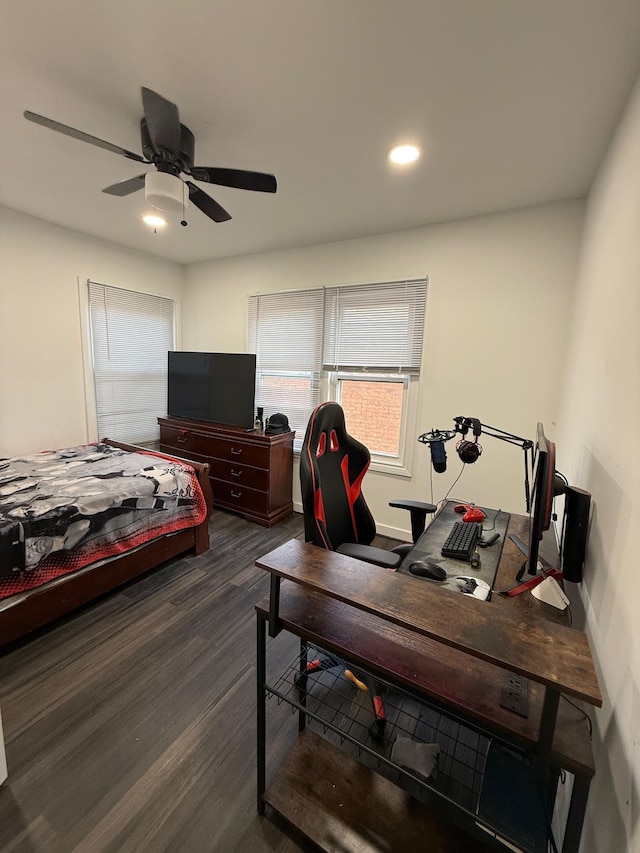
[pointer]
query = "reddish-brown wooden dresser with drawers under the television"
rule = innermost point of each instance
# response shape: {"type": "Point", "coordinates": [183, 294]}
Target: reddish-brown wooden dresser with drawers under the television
{"type": "Point", "coordinates": [251, 473]}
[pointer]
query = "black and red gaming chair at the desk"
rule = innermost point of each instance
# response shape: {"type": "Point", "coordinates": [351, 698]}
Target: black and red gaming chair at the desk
{"type": "Point", "coordinates": [336, 515]}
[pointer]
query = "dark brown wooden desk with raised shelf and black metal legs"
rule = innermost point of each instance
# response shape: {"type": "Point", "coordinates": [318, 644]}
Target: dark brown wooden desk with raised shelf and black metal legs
{"type": "Point", "coordinates": [447, 649]}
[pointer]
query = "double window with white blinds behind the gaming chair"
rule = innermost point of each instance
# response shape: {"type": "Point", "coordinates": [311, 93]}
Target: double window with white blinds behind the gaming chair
{"type": "Point", "coordinates": [361, 345]}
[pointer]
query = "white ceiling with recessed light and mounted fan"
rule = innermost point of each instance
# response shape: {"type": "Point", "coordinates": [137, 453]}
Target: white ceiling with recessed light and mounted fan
{"type": "Point", "coordinates": [513, 102]}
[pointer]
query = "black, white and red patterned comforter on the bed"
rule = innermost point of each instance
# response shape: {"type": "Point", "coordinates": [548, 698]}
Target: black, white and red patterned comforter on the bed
{"type": "Point", "coordinates": [61, 510]}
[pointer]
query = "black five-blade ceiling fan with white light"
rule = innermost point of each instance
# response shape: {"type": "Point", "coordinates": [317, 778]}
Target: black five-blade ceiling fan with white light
{"type": "Point", "coordinates": [170, 147]}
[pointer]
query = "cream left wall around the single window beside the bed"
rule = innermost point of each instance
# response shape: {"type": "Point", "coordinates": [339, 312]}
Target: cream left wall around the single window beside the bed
{"type": "Point", "coordinates": [42, 390]}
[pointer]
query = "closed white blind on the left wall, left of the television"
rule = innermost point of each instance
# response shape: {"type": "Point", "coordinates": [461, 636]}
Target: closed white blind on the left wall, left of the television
{"type": "Point", "coordinates": [131, 334]}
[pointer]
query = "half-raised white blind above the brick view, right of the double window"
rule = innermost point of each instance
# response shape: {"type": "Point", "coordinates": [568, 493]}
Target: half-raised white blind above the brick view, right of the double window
{"type": "Point", "coordinates": [376, 327]}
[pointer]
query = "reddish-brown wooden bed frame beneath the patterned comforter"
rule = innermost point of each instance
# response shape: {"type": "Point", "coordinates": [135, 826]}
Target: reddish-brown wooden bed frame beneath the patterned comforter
{"type": "Point", "coordinates": [44, 604]}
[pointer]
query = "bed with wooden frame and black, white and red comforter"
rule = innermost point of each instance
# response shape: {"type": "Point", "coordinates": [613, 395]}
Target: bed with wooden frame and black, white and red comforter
{"type": "Point", "coordinates": [63, 544]}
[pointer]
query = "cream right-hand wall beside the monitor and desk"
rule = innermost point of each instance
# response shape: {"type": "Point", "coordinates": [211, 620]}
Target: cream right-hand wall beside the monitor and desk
{"type": "Point", "coordinates": [599, 418]}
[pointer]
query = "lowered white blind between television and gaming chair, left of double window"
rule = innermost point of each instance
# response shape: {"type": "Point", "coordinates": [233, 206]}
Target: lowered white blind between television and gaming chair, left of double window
{"type": "Point", "coordinates": [285, 333]}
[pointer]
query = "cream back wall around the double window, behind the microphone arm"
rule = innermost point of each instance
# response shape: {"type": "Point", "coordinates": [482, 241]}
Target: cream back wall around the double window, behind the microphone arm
{"type": "Point", "coordinates": [500, 297]}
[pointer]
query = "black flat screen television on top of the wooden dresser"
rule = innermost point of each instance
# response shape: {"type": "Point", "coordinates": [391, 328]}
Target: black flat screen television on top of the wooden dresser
{"type": "Point", "coordinates": [212, 386]}
